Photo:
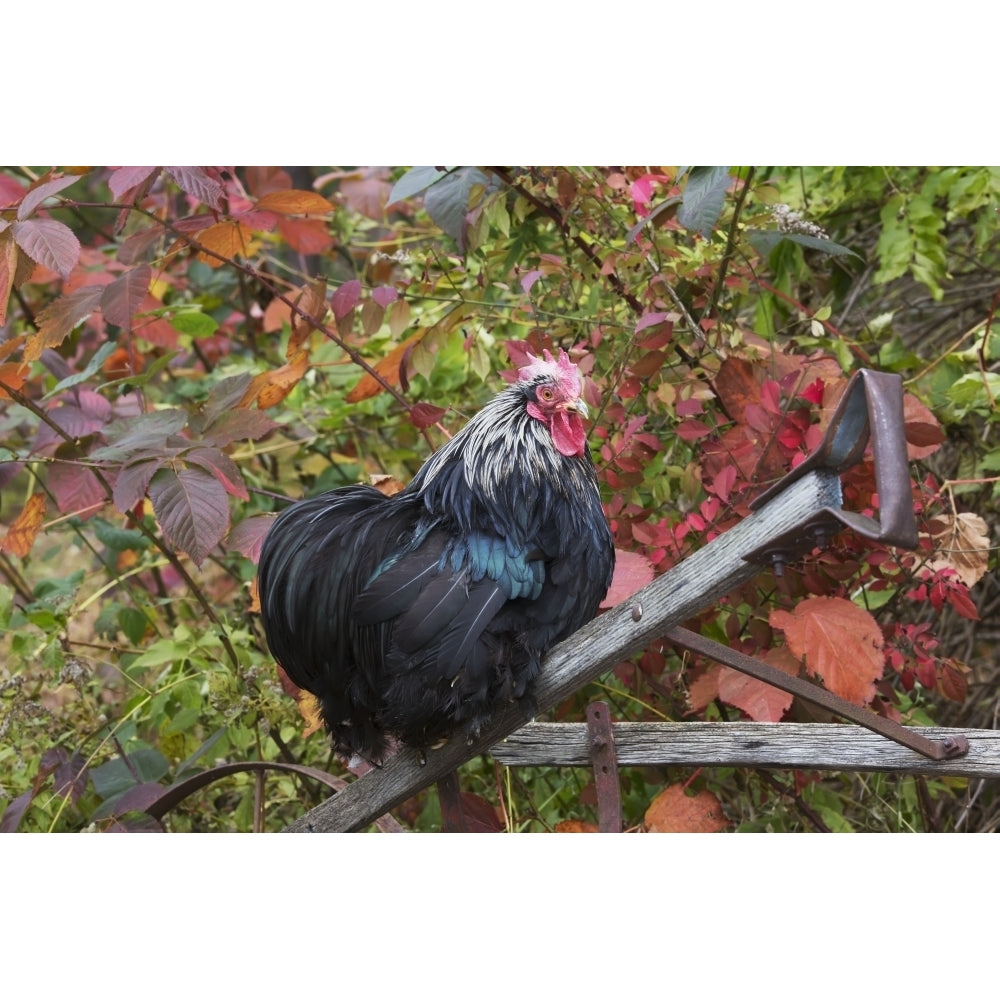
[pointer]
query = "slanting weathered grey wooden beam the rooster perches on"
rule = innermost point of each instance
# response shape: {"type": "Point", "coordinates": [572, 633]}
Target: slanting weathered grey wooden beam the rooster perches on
{"type": "Point", "coordinates": [671, 599]}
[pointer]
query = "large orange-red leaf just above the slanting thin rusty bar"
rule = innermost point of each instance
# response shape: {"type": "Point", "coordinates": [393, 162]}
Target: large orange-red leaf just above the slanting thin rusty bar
{"type": "Point", "coordinates": [839, 642]}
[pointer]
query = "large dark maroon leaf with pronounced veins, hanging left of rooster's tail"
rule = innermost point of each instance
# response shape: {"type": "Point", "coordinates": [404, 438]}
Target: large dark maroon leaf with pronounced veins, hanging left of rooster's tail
{"type": "Point", "coordinates": [192, 509]}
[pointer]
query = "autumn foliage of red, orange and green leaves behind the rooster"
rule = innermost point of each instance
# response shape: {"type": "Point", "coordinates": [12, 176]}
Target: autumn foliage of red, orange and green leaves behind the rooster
{"type": "Point", "coordinates": [183, 347]}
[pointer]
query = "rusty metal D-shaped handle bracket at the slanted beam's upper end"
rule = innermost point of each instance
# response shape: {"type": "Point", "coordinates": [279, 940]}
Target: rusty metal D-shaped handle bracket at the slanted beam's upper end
{"type": "Point", "coordinates": [870, 409]}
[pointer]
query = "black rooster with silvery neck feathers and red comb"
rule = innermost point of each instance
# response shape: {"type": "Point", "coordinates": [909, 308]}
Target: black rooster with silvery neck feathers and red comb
{"type": "Point", "coordinates": [417, 615]}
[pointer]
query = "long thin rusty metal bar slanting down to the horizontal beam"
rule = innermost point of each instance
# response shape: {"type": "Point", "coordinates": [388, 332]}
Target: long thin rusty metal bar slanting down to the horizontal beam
{"type": "Point", "coordinates": [953, 746]}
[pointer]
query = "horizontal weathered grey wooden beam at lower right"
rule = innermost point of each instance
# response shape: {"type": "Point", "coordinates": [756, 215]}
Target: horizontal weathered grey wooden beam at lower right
{"type": "Point", "coordinates": [779, 745]}
